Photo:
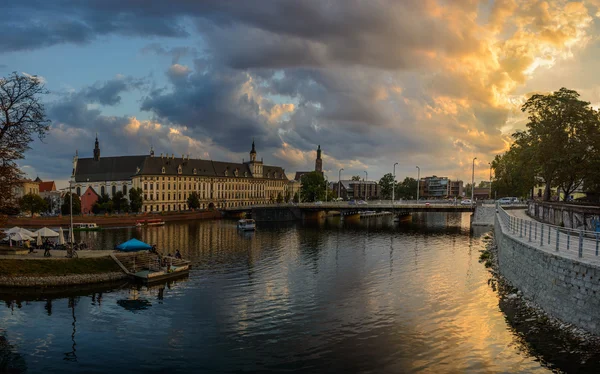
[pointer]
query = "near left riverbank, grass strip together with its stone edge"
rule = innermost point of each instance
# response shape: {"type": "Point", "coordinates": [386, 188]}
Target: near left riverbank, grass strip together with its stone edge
{"type": "Point", "coordinates": [33, 272]}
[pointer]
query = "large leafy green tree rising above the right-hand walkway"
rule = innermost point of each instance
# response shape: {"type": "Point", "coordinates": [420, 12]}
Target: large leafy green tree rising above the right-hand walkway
{"type": "Point", "coordinates": [560, 140]}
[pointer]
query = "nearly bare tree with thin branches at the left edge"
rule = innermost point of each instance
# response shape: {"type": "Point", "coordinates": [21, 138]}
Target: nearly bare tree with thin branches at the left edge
{"type": "Point", "coordinates": [22, 117]}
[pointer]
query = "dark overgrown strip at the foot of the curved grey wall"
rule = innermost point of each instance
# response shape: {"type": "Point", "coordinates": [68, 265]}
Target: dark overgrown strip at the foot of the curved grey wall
{"type": "Point", "coordinates": [561, 345]}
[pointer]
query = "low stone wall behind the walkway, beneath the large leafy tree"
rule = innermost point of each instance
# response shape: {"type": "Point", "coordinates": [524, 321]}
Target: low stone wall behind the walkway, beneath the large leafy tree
{"type": "Point", "coordinates": [567, 215]}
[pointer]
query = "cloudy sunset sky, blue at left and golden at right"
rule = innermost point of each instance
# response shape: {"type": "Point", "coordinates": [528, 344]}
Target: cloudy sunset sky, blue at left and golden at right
{"type": "Point", "coordinates": [428, 83]}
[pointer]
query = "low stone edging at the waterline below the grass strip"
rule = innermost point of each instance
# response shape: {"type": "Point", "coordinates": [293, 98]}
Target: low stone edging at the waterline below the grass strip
{"type": "Point", "coordinates": [57, 281]}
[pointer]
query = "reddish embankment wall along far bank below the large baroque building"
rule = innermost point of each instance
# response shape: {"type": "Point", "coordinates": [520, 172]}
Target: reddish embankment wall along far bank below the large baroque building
{"type": "Point", "coordinates": [109, 220]}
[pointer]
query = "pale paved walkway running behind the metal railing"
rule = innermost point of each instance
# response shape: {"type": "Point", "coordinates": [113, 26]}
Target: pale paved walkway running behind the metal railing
{"type": "Point", "coordinates": [589, 244]}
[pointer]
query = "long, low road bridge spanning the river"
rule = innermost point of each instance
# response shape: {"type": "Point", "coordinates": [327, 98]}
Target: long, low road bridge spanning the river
{"type": "Point", "coordinates": [289, 212]}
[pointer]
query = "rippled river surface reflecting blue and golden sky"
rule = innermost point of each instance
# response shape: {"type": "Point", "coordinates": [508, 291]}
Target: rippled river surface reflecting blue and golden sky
{"type": "Point", "coordinates": [363, 296]}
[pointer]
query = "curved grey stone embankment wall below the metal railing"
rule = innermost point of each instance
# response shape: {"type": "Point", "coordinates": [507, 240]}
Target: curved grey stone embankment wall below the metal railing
{"type": "Point", "coordinates": [566, 289]}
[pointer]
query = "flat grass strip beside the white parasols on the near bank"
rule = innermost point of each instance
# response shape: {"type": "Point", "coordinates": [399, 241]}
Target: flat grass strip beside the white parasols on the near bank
{"type": "Point", "coordinates": [42, 268]}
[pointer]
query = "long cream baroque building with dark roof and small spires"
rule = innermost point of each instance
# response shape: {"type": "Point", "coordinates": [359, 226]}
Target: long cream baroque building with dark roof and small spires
{"type": "Point", "coordinates": [167, 181]}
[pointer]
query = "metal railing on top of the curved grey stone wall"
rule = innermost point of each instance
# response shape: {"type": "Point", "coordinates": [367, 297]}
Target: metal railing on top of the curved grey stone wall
{"type": "Point", "coordinates": [583, 244]}
